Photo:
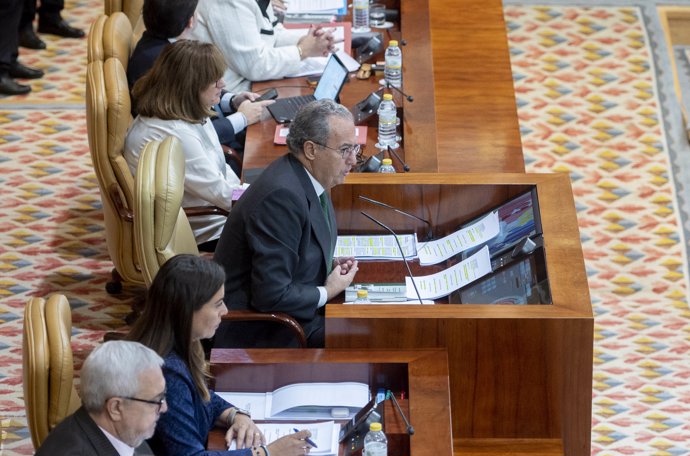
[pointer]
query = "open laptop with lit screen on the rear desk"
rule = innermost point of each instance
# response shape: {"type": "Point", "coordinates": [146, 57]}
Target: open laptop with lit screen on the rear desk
{"type": "Point", "coordinates": [329, 87]}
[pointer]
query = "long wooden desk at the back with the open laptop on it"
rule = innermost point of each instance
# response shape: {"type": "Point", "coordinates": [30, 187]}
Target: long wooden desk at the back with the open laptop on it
{"type": "Point", "coordinates": [456, 65]}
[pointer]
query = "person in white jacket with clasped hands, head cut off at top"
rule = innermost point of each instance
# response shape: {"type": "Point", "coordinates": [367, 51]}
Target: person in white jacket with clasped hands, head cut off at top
{"type": "Point", "coordinates": [256, 47]}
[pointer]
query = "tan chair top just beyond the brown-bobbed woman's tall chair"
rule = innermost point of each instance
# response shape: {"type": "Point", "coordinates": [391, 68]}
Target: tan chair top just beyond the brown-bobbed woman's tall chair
{"type": "Point", "coordinates": [110, 36]}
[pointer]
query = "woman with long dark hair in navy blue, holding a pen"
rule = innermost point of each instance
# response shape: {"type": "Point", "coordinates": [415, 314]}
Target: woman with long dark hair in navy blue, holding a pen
{"type": "Point", "coordinates": [184, 305]}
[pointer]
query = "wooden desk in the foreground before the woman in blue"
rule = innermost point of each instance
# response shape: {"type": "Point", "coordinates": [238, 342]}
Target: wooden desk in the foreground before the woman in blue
{"type": "Point", "coordinates": [423, 374]}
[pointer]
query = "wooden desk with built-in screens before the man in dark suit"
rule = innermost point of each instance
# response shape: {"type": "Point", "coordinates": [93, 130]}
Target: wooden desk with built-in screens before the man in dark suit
{"type": "Point", "coordinates": [516, 372]}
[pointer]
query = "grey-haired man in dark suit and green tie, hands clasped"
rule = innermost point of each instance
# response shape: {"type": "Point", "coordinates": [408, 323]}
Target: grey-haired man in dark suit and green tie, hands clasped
{"type": "Point", "coordinates": [277, 245]}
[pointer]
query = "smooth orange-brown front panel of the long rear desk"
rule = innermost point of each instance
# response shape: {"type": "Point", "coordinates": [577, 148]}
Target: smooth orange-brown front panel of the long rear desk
{"type": "Point", "coordinates": [476, 115]}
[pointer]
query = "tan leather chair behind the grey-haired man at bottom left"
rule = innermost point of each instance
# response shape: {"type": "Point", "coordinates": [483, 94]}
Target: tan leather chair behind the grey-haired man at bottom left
{"type": "Point", "coordinates": [48, 367]}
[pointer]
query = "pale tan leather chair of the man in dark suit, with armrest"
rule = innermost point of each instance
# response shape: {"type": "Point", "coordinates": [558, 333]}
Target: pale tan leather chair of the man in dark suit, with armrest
{"type": "Point", "coordinates": [161, 227]}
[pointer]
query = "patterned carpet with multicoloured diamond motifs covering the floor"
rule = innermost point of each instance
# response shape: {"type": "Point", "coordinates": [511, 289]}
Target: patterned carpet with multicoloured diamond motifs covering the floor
{"type": "Point", "coordinates": [589, 104]}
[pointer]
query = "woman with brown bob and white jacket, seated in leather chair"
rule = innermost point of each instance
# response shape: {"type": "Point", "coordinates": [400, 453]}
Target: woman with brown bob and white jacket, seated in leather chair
{"type": "Point", "coordinates": [174, 99]}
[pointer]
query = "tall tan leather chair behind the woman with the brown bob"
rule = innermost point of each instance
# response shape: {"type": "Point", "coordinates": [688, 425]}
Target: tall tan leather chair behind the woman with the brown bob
{"type": "Point", "coordinates": [107, 120]}
